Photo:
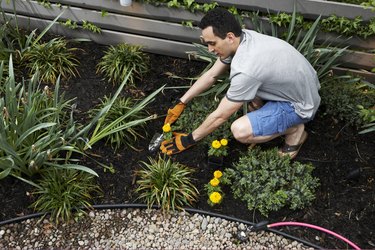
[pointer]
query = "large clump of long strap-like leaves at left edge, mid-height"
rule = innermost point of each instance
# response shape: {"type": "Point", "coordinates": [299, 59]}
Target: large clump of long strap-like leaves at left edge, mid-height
{"type": "Point", "coordinates": [37, 130]}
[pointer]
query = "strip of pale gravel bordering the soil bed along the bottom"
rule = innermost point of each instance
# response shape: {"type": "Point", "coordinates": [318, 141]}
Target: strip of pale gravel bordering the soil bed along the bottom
{"type": "Point", "coordinates": [138, 229]}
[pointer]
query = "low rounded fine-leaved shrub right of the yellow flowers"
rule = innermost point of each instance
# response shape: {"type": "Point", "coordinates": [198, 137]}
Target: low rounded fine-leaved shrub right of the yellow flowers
{"type": "Point", "coordinates": [268, 182]}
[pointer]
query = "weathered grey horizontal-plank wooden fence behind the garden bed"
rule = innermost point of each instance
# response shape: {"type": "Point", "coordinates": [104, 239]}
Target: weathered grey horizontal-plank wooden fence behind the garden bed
{"type": "Point", "coordinates": [159, 29]}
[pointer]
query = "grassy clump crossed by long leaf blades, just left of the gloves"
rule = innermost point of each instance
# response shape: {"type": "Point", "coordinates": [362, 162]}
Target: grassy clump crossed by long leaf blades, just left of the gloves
{"type": "Point", "coordinates": [120, 107]}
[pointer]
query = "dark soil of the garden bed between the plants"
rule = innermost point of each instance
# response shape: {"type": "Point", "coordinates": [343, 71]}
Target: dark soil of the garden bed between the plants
{"type": "Point", "coordinates": [344, 161]}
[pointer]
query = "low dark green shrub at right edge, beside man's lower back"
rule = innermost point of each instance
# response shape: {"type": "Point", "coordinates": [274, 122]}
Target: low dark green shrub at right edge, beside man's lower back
{"type": "Point", "coordinates": [340, 100]}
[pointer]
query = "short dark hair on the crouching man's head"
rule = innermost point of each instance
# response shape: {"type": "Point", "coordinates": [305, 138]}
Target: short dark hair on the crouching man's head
{"type": "Point", "coordinates": [222, 22]}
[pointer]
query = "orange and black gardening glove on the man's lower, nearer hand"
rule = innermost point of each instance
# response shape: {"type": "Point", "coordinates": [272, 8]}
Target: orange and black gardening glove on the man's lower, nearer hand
{"type": "Point", "coordinates": [177, 144]}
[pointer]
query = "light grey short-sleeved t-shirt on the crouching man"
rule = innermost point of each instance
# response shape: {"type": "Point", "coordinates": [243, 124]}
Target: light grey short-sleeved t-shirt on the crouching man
{"type": "Point", "coordinates": [273, 70]}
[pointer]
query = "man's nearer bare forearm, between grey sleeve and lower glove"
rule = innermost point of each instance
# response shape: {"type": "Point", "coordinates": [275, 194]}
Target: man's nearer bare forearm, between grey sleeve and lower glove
{"type": "Point", "coordinates": [225, 109]}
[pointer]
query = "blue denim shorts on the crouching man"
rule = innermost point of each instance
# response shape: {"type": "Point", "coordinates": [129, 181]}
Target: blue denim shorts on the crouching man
{"type": "Point", "coordinates": [274, 118]}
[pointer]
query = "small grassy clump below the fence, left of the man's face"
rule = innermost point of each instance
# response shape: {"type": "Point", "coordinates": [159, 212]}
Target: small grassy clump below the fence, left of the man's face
{"type": "Point", "coordinates": [119, 60]}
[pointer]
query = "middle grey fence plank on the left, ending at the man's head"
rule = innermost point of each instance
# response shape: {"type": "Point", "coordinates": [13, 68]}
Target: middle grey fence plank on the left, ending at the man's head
{"type": "Point", "coordinates": [115, 22]}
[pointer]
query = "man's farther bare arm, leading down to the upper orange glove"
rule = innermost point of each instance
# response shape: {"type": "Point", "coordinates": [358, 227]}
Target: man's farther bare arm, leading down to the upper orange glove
{"type": "Point", "coordinates": [205, 81]}
